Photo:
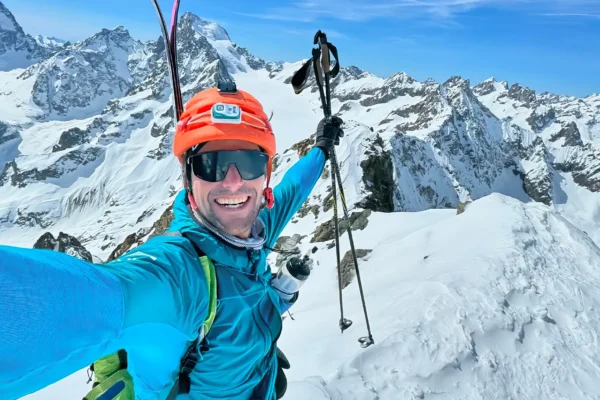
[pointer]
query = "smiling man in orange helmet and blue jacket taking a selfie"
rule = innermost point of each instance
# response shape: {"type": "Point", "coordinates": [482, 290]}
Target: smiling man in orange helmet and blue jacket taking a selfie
{"type": "Point", "coordinates": [59, 314]}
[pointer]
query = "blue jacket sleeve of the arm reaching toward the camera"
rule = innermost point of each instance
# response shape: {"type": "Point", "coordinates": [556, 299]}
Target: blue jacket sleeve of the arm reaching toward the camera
{"type": "Point", "coordinates": [59, 314]}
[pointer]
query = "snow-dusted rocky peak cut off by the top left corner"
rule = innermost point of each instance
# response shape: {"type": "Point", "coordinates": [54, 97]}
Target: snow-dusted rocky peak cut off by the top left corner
{"type": "Point", "coordinates": [17, 49]}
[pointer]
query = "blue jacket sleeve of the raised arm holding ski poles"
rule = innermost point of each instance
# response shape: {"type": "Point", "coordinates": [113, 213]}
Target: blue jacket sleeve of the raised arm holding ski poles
{"type": "Point", "coordinates": [293, 191]}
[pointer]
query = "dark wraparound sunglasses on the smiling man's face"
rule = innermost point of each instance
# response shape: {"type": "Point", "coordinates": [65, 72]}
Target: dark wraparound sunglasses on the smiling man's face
{"type": "Point", "coordinates": [212, 166]}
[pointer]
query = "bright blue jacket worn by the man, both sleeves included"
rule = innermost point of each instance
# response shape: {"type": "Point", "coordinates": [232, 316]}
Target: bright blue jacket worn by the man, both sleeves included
{"type": "Point", "coordinates": [58, 314]}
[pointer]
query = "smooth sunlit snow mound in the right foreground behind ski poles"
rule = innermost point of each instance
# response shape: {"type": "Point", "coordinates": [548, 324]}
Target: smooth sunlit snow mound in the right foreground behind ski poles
{"type": "Point", "coordinates": [454, 313]}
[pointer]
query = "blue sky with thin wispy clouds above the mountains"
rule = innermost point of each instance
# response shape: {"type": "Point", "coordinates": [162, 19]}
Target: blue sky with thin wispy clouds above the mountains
{"type": "Point", "coordinates": [548, 45]}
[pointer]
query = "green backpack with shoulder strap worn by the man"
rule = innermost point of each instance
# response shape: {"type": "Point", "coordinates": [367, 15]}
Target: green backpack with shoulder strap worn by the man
{"type": "Point", "coordinates": [112, 381]}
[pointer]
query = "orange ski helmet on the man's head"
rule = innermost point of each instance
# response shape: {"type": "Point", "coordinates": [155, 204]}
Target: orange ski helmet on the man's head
{"type": "Point", "coordinates": [198, 123]}
